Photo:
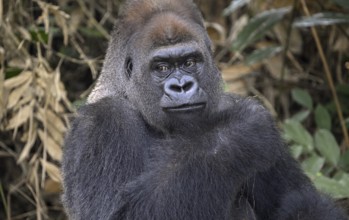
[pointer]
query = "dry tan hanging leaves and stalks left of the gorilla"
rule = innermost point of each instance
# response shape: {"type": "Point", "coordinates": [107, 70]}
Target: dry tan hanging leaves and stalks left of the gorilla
{"type": "Point", "coordinates": [34, 107]}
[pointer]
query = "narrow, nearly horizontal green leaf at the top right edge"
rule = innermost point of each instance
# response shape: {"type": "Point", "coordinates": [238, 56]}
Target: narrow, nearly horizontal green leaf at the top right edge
{"type": "Point", "coordinates": [326, 18]}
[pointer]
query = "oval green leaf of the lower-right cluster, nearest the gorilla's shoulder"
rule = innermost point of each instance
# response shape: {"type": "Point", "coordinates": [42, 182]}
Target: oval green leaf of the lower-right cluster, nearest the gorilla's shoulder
{"type": "Point", "coordinates": [294, 131]}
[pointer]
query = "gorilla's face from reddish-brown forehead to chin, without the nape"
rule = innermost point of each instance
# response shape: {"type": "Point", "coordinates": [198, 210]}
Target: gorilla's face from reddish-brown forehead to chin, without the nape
{"type": "Point", "coordinates": [173, 79]}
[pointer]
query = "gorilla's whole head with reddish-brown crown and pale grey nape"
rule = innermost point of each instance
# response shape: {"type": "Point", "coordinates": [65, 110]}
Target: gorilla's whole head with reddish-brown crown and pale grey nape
{"type": "Point", "coordinates": [161, 61]}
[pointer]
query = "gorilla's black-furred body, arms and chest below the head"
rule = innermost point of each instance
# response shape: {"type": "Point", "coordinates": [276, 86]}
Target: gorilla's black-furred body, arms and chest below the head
{"type": "Point", "coordinates": [117, 167]}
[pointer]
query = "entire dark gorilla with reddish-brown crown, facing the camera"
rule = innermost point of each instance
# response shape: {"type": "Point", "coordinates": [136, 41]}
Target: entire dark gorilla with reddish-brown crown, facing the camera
{"type": "Point", "coordinates": [159, 139]}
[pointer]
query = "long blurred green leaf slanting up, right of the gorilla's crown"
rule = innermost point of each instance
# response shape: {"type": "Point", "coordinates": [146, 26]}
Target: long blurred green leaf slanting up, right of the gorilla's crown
{"type": "Point", "coordinates": [257, 27]}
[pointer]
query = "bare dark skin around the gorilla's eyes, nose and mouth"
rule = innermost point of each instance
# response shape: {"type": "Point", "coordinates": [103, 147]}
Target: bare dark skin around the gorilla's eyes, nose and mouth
{"type": "Point", "coordinates": [177, 69]}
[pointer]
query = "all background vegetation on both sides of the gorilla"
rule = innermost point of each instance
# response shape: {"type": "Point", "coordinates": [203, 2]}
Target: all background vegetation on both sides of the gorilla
{"type": "Point", "coordinates": [291, 54]}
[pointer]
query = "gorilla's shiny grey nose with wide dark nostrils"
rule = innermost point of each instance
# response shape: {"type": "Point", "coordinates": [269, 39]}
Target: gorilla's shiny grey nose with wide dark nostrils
{"type": "Point", "coordinates": [185, 87]}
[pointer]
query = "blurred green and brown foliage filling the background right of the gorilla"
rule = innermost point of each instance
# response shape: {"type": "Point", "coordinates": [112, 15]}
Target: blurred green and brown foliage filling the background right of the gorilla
{"type": "Point", "coordinates": [275, 39]}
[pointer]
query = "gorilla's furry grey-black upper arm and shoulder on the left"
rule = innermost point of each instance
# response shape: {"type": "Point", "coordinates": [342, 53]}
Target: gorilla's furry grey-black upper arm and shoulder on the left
{"type": "Point", "coordinates": [103, 151]}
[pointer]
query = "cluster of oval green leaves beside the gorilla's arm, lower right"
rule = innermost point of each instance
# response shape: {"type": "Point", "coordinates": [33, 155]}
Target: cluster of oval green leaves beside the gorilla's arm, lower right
{"type": "Point", "coordinates": [318, 150]}
